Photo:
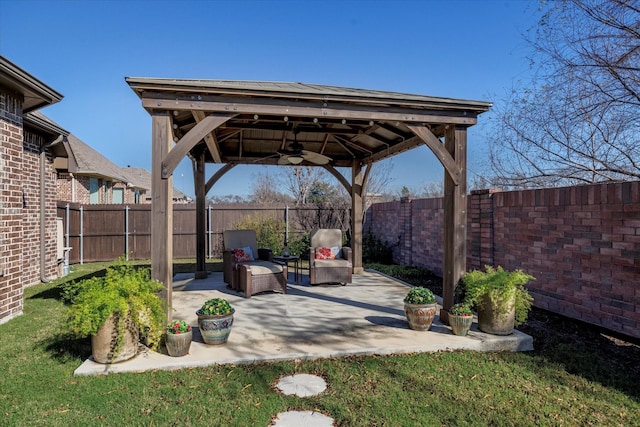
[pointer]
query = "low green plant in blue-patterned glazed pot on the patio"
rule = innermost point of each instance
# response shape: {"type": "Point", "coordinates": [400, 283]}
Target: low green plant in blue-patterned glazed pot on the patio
{"type": "Point", "coordinates": [215, 319]}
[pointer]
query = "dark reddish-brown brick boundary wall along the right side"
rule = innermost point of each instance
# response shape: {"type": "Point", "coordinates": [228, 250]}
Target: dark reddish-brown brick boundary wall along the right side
{"type": "Point", "coordinates": [581, 243]}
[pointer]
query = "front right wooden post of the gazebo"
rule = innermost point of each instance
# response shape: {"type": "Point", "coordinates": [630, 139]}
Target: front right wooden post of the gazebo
{"type": "Point", "coordinates": [455, 217]}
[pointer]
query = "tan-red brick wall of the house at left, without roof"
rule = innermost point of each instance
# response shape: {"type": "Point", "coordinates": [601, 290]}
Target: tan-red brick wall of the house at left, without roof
{"type": "Point", "coordinates": [20, 208]}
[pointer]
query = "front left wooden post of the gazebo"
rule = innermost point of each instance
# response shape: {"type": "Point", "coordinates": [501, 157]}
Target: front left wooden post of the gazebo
{"type": "Point", "coordinates": [161, 206]}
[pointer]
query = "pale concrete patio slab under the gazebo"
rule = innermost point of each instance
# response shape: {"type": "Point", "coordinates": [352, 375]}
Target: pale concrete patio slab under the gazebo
{"type": "Point", "coordinates": [365, 317]}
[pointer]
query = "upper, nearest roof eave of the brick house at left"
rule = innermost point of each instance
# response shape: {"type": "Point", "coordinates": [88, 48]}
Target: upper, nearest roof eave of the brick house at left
{"type": "Point", "coordinates": [36, 93]}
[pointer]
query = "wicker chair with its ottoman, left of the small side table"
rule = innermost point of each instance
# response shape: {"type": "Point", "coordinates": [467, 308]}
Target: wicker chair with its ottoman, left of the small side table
{"type": "Point", "coordinates": [254, 276]}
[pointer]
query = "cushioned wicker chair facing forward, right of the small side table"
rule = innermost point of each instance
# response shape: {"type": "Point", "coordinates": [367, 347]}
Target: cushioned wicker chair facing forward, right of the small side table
{"type": "Point", "coordinates": [321, 270]}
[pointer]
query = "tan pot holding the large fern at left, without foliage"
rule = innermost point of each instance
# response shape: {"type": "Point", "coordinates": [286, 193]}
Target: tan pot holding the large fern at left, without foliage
{"type": "Point", "coordinates": [104, 342]}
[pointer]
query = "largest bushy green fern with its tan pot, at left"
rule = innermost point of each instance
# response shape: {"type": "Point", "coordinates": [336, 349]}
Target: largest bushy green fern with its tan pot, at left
{"type": "Point", "coordinates": [115, 310]}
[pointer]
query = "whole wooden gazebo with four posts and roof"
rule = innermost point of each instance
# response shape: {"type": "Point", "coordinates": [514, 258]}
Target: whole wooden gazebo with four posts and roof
{"type": "Point", "coordinates": [254, 122]}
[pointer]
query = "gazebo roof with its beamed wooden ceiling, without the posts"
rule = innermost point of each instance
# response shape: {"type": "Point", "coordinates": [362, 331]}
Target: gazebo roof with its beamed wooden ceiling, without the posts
{"type": "Point", "coordinates": [343, 124]}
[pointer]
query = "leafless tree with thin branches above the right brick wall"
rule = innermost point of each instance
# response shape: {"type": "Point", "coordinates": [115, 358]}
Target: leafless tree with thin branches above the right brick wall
{"type": "Point", "coordinates": [578, 121]}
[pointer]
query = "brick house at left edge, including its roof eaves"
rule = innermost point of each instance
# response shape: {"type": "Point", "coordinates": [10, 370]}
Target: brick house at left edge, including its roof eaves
{"type": "Point", "coordinates": [29, 142]}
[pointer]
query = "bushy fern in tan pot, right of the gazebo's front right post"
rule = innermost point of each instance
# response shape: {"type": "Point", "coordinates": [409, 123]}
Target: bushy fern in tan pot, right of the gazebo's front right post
{"type": "Point", "coordinates": [500, 297]}
